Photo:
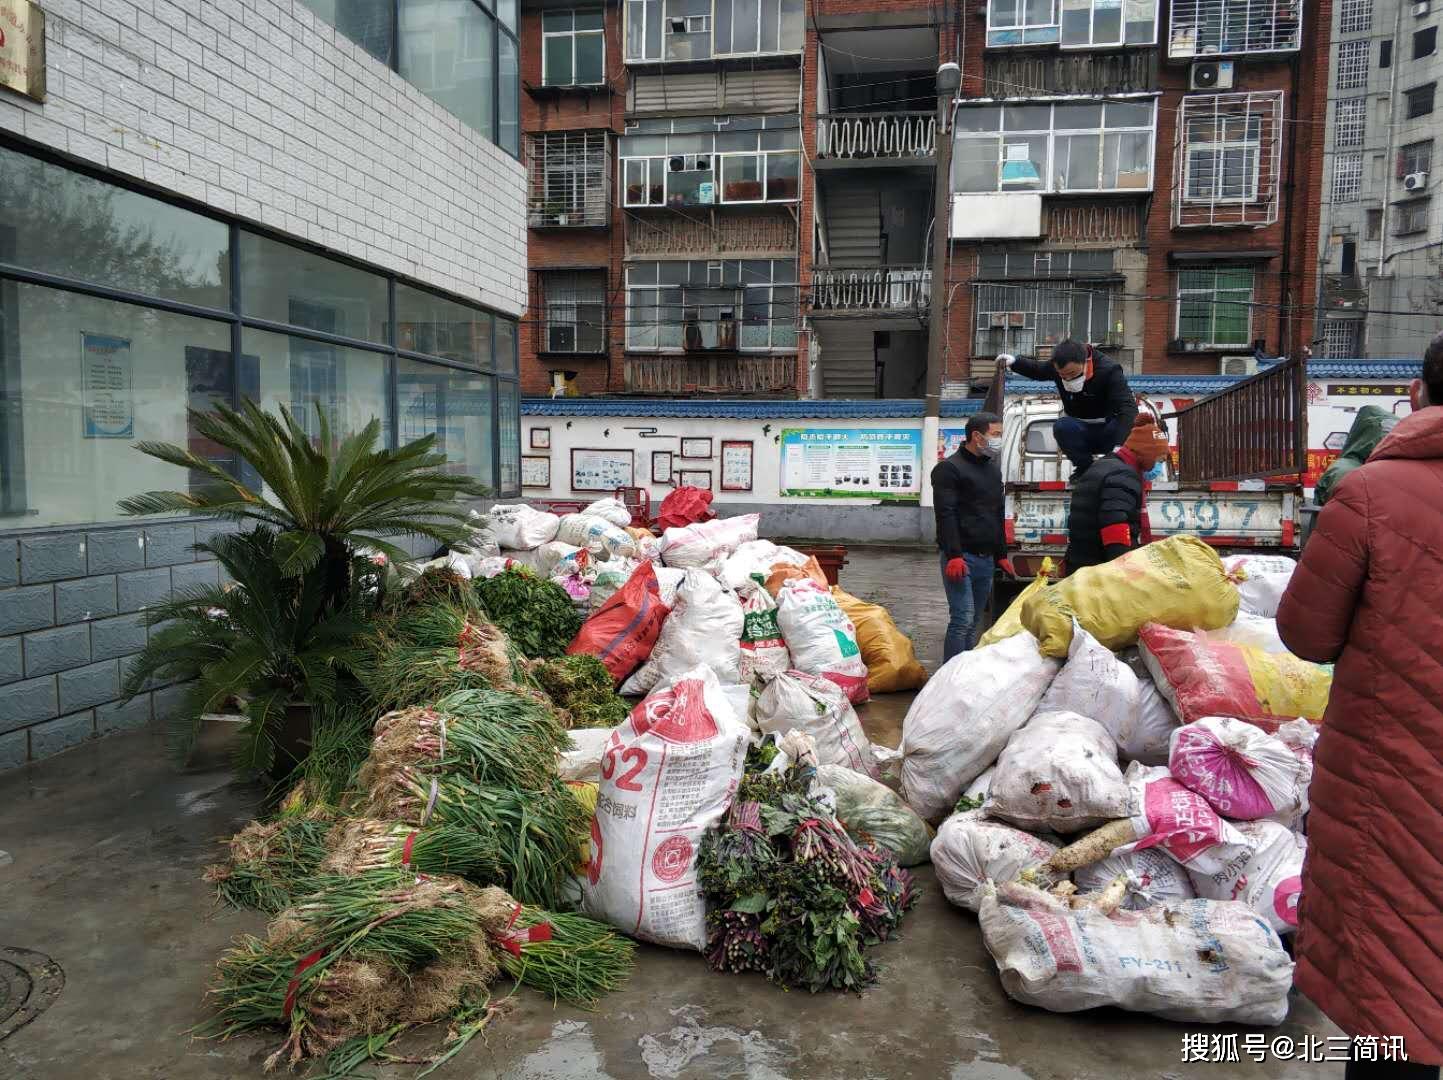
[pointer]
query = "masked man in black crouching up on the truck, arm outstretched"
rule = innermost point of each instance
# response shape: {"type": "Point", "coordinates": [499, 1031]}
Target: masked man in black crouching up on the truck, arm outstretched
{"type": "Point", "coordinates": [1097, 402]}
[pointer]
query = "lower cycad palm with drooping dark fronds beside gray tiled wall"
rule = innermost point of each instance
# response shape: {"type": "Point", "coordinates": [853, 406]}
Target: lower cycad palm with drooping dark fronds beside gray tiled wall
{"type": "Point", "coordinates": [271, 640]}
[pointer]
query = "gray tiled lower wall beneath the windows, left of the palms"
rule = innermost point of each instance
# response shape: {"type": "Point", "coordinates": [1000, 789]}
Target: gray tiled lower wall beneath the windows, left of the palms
{"type": "Point", "coordinates": [71, 614]}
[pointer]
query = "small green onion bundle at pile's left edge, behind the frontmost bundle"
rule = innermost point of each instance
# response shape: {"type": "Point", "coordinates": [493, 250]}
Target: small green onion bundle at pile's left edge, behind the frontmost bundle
{"type": "Point", "coordinates": [271, 864]}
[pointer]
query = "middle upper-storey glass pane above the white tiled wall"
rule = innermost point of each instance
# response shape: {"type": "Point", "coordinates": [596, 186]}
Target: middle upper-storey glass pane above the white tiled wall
{"type": "Point", "coordinates": [448, 53]}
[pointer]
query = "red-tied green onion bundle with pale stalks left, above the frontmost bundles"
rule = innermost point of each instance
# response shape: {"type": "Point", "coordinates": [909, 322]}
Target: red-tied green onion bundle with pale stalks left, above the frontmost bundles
{"type": "Point", "coordinates": [361, 844]}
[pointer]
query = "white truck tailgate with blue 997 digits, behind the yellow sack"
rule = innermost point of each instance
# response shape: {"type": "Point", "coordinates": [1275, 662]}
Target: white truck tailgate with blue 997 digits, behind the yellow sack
{"type": "Point", "coordinates": [1243, 519]}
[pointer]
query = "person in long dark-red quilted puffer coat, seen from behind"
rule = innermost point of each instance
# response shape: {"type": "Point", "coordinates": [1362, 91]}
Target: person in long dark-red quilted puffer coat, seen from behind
{"type": "Point", "coordinates": [1367, 596]}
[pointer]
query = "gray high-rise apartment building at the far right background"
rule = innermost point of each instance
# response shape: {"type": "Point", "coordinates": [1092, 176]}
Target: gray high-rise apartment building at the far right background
{"type": "Point", "coordinates": [1382, 243]}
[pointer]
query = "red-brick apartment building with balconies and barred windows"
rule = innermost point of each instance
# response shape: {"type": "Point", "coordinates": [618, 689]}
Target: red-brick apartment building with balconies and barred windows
{"type": "Point", "coordinates": [1142, 178]}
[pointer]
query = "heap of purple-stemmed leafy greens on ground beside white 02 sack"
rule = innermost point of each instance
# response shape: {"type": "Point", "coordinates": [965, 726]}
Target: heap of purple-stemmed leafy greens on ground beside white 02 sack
{"type": "Point", "coordinates": [793, 894]}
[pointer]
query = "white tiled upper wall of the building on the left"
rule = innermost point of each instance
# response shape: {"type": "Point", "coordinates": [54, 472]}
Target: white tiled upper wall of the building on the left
{"type": "Point", "coordinates": [258, 109]}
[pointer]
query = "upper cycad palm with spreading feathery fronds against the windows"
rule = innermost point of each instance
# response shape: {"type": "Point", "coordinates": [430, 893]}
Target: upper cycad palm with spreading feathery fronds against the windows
{"type": "Point", "coordinates": [323, 505]}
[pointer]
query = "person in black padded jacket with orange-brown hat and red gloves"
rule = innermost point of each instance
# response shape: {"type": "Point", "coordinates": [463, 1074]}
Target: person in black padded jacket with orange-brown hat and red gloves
{"type": "Point", "coordinates": [1108, 518]}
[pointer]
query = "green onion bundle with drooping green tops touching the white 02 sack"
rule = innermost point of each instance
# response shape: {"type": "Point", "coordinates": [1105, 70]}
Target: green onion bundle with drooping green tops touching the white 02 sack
{"type": "Point", "coordinates": [540, 831]}
